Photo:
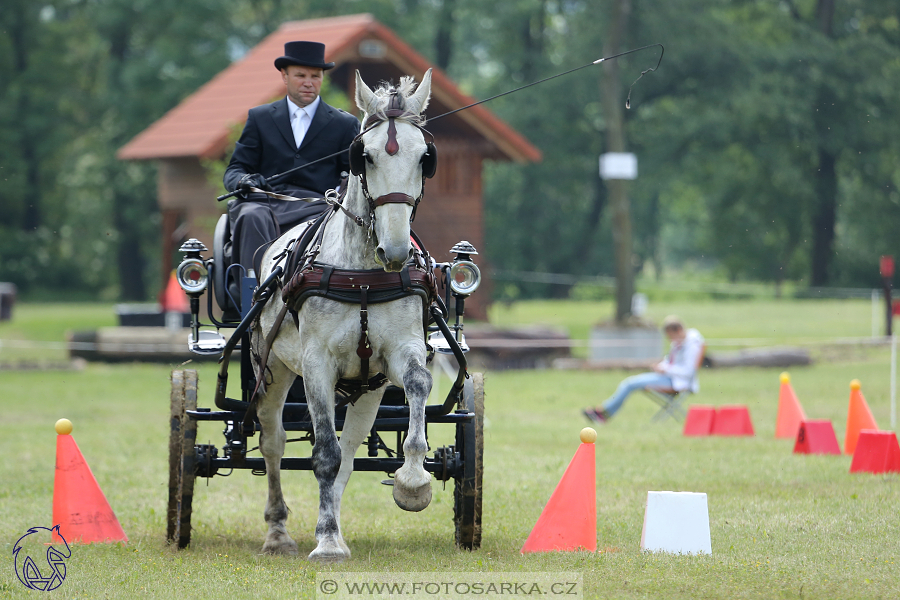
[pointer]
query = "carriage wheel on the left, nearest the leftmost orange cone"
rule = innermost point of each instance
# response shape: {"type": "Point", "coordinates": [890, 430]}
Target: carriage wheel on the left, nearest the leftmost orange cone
{"type": "Point", "coordinates": [182, 456]}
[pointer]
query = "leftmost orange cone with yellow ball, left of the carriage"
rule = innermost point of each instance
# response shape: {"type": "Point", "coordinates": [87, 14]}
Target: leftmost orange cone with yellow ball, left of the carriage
{"type": "Point", "coordinates": [79, 506]}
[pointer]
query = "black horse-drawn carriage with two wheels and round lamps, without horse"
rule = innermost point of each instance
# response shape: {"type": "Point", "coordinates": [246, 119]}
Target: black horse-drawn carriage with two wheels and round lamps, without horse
{"type": "Point", "coordinates": [463, 407]}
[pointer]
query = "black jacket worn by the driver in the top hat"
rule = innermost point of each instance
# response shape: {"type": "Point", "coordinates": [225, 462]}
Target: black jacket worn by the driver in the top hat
{"type": "Point", "coordinates": [267, 146]}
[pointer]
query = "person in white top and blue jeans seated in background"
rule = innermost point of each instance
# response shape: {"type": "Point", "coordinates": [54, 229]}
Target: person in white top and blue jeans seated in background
{"type": "Point", "coordinates": [676, 373]}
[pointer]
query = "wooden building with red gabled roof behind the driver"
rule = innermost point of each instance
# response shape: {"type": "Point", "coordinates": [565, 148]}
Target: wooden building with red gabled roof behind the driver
{"type": "Point", "coordinates": [200, 127]}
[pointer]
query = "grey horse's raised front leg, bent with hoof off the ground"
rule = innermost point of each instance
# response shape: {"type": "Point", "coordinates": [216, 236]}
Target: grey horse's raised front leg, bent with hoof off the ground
{"type": "Point", "coordinates": [412, 483]}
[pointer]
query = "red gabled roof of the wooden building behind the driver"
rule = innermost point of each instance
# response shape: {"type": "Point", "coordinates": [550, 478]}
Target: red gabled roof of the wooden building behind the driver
{"type": "Point", "coordinates": [201, 123]}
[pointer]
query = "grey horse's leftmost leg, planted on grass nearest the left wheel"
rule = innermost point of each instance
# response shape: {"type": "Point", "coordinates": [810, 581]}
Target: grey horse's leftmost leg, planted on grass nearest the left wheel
{"type": "Point", "coordinates": [271, 445]}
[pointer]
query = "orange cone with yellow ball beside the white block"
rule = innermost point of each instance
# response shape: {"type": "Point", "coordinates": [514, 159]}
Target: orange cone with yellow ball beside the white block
{"type": "Point", "coordinates": [569, 521]}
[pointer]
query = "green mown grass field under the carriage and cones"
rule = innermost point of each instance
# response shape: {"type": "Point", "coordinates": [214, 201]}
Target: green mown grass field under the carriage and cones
{"type": "Point", "coordinates": [782, 526]}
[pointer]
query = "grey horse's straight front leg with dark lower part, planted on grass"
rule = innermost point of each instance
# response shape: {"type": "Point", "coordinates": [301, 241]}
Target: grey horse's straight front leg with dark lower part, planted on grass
{"type": "Point", "coordinates": [319, 381]}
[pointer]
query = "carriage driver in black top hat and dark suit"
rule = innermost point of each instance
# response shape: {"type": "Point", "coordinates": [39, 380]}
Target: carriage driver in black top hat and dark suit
{"type": "Point", "coordinates": [292, 131]}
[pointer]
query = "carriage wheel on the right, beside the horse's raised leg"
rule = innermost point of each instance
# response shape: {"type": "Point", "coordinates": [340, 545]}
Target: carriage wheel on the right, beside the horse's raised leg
{"type": "Point", "coordinates": [467, 489]}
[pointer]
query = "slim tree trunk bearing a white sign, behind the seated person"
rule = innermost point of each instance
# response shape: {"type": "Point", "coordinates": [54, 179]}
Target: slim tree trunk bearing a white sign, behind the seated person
{"type": "Point", "coordinates": [611, 97]}
